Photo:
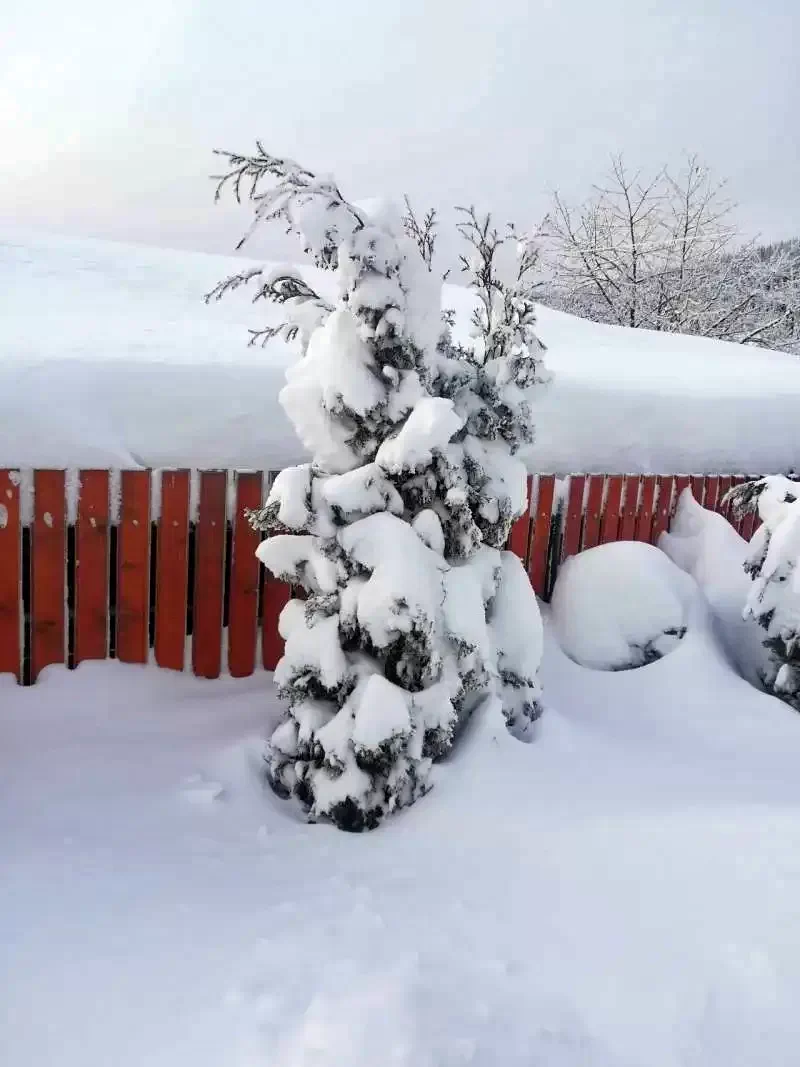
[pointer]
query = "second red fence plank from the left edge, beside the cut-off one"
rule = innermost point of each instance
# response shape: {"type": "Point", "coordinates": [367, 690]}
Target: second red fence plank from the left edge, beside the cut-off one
{"type": "Point", "coordinates": [49, 560]}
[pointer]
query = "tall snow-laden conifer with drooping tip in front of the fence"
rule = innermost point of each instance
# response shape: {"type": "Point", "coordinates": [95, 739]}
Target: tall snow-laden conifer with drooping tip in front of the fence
{"type": "Point", "coordinates": [394, 531]}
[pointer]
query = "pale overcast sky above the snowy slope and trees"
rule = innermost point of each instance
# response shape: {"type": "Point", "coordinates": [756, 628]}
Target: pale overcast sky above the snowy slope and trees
{"type": "Point", "coordinates": [109, 112]}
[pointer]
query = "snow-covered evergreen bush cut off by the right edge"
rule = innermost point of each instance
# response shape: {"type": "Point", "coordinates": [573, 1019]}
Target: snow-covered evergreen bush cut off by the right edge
{"type": "Point", "coordinates": [774, 601]}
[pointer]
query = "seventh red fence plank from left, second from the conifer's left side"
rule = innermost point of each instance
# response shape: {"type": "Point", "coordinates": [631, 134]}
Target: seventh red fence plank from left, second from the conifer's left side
{"type": "Point", "coordinates": [244, 607]}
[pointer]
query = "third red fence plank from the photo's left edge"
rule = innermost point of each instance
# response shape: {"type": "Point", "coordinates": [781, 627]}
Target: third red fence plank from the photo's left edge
{"type": "Point", "coordinates": [92, 568]}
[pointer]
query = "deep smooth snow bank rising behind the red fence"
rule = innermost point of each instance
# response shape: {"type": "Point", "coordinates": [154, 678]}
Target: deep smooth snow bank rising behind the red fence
{"type": "Point", "coordinates": [109, 358]}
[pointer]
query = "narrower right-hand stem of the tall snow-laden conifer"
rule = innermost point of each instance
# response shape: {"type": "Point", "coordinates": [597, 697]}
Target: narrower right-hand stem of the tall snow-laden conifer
{"type": "Point", "coordinates": [493, 378]}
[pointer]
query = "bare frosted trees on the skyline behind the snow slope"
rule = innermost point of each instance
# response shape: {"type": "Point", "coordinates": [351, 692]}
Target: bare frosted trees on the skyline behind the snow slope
{"type": "Point", "coordinates": [663, 253]}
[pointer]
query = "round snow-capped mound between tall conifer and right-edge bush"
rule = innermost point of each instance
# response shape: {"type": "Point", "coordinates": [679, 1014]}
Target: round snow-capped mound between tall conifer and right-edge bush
{"type": "Point", "coordinates": [620, 607]}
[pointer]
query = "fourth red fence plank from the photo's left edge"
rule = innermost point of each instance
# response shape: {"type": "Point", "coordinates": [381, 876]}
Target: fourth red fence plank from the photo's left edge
{"type": "Point", "coordinates": [134, 569]}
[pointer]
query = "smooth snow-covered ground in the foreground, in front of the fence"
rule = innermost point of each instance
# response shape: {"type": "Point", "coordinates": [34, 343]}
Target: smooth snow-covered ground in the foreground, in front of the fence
{"type": "Point", "coordinates": [621, 894]}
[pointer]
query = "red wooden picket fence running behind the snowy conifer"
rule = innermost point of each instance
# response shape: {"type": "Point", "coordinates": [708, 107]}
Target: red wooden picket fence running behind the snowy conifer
{"type": "Point", "coordinates": [88, 572]}
